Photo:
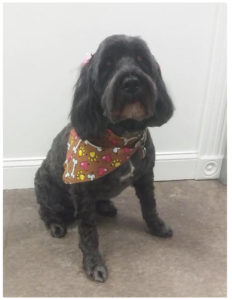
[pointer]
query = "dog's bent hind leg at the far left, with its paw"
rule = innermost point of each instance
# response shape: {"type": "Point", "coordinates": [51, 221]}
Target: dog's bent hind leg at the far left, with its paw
{"type": "Point", "coordinates": [55, 208]}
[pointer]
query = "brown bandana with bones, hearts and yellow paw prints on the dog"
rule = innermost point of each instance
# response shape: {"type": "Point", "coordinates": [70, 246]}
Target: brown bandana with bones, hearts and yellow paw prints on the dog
{"type": "Point", "coordinates": [86, 161]}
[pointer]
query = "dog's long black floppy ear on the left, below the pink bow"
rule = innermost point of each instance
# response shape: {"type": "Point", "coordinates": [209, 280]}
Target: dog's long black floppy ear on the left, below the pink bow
{"type": "Point", "coordinates": [86, 113]}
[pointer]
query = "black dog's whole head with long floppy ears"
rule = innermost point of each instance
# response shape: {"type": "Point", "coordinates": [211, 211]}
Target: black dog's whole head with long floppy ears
{"type": "Point", "coordinates": [122, 85]}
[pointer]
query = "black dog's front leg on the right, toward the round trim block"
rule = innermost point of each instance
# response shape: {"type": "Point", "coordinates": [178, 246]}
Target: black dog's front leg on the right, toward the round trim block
{"type": "Point", "coordinates": [145, 191]}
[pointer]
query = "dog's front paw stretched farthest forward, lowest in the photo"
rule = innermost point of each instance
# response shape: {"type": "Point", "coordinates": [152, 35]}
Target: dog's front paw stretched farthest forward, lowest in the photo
{"type": "Point", "coordinates": [95, 270]}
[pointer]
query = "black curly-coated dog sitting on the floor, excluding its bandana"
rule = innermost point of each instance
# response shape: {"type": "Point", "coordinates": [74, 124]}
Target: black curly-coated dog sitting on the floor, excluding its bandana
{"type": "Point", "coordinates": [121, 89]}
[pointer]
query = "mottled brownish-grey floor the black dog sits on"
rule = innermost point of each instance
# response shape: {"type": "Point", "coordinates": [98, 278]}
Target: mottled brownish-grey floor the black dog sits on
{"type": "Point", "coordinates": [190, 264]}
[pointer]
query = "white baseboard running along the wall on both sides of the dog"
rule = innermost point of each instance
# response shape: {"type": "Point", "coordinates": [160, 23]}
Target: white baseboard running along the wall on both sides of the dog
{"type": "Point", "coordinates": [19, 173]}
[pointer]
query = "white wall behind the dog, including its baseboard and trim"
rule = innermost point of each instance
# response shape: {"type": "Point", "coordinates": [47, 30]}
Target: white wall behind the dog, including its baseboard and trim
{"type": "Point", "coordinates": [44, 45]}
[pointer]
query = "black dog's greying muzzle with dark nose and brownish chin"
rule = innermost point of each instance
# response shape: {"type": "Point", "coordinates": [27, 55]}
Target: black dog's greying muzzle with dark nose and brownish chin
{"type": "Point", "coordinates": [130, 96]}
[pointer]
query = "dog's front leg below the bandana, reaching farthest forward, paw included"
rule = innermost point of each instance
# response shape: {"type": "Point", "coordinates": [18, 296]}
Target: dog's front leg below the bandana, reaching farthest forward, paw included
{"type": "Point", "coordinates": [92, 261]}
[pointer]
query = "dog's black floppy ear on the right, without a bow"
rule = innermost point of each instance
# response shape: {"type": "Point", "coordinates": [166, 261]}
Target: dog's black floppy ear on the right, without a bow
{"type": "Point", "coordinates": [164, 107]}
